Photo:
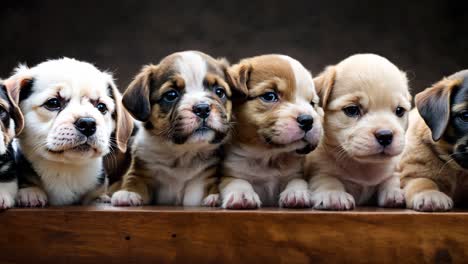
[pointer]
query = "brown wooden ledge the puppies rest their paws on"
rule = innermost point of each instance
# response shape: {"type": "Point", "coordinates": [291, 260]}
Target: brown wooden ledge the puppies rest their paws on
{"type": "Point", "coordinates": [192, 235]}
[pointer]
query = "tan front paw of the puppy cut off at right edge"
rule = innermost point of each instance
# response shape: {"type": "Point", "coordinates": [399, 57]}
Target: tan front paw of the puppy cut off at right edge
{"type": "Point", "coordinates": [423, 194]}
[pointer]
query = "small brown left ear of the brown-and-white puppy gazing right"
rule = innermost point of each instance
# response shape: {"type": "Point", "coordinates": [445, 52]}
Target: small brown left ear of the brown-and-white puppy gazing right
{"type": "Point", "coordinates": [238, 77]}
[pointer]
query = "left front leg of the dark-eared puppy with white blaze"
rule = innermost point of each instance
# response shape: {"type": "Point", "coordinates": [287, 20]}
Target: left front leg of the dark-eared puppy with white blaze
{"type": "Point", "coordinates": [135, 191]}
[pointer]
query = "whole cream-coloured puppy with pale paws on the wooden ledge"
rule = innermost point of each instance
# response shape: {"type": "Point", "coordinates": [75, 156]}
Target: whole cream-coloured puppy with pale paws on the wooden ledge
{"type": "Point", "coordinates": [365, 98]}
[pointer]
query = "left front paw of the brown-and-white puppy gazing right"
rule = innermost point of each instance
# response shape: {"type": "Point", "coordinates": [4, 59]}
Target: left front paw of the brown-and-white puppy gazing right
{"type": "Point", "coordinates": [238, 194]}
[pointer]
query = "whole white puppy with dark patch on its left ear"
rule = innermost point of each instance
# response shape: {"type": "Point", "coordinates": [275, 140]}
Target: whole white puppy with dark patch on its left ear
{"type": "Point", "coordinates": [71, 110]}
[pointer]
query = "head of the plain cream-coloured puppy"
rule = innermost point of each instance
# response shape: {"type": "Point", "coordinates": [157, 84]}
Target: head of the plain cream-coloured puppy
{"type": "Point", "coordinates": [366, 99]}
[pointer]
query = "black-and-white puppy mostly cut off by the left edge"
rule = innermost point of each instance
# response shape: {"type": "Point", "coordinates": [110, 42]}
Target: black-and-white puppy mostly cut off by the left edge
{"type": "Point", "coordinates": [11, 124]}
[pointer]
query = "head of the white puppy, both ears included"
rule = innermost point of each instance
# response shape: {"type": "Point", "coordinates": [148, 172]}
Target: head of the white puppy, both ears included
{"type": "Point", "coordinates": [71, 110]}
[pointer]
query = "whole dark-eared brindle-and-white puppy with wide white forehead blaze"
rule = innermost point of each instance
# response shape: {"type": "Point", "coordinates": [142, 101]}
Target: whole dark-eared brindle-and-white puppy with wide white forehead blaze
{"type": "Point", "coordinates": [184, 104]}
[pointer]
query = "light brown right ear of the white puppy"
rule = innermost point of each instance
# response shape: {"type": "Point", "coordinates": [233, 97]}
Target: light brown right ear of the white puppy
{"type": "Point", "coordinates": [123, 121]}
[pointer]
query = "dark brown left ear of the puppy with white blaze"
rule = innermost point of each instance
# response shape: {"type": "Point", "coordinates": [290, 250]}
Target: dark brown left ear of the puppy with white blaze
{"type": "Point", "coordinates": [137, 96]}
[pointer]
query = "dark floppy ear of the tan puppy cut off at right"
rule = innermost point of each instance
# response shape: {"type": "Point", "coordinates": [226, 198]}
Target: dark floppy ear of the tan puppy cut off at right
{"type": "Point", "coordinates": [433, 105]}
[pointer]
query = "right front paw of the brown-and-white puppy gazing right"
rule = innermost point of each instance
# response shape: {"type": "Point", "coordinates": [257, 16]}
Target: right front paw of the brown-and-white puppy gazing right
{"type": "Point", "coordinates": [296, 195]}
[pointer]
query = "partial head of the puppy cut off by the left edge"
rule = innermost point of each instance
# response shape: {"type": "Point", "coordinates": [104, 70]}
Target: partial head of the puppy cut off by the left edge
{"type": "Point", "coordinates": [11, 118]}
